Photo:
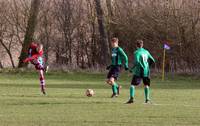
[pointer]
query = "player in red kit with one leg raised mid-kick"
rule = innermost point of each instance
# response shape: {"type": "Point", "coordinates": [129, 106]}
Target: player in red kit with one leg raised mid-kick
{"type": "Point", "coordinates": [35, 56]}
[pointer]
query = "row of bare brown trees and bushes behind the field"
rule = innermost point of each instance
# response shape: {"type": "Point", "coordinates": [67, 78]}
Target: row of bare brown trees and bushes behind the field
{"type": "Point", "coordinates": [76, 33]}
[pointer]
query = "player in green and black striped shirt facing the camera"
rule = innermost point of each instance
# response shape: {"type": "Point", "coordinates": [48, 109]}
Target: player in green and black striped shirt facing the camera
{"type": "Point", "coordinates": [118, 57]}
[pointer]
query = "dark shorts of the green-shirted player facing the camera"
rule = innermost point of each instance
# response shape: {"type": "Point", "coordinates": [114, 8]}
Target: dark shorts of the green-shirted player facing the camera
{"type": "Point", "coordinates": [114, 72]}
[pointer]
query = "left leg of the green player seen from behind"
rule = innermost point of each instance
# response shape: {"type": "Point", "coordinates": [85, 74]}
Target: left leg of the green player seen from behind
{"type": "Point", "coordinates": [135, 81]}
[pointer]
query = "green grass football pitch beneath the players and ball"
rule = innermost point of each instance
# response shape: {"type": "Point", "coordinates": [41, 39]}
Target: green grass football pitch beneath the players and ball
{"type": "Point", "coordinates": [176, 102]}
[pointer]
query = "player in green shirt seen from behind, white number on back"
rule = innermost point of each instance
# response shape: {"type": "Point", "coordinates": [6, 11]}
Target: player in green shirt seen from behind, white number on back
{"type": "Point", "coordinates": [140, 70]}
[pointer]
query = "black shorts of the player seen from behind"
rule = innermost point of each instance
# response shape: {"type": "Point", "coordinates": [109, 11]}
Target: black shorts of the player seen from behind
{"type": "Point", "coordinates": [137, 80]}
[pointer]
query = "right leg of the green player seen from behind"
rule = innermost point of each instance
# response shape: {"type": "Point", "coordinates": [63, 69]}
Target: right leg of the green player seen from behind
{"type": "Point", "coordinates": [146, 81]}
